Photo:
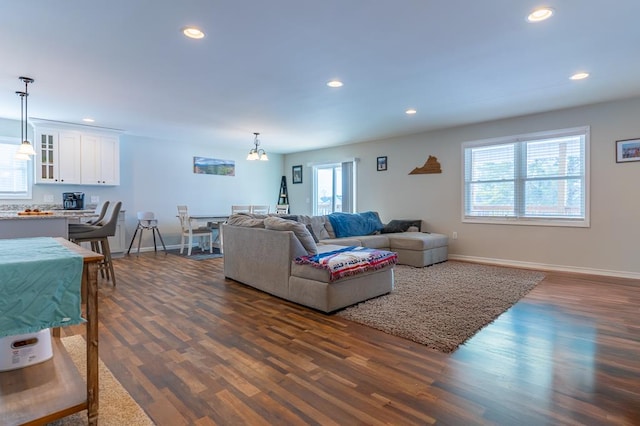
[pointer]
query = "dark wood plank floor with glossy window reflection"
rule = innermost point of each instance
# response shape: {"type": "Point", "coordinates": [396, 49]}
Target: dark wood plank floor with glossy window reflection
{"type": "Point", "coordinates": [194, 348]}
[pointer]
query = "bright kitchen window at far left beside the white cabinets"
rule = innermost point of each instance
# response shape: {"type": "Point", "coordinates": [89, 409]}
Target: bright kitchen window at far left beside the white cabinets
{"type": "Point", "coordinates": [15, 175]}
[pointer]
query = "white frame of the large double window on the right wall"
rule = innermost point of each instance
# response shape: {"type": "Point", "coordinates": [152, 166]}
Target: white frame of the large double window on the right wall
{"type": "Point", "coordinates": [520, 178]}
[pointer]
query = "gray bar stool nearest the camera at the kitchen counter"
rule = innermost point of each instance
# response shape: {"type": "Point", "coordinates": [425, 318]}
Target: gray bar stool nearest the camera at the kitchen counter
{"type": "Point", "coordinates": [98, 236]}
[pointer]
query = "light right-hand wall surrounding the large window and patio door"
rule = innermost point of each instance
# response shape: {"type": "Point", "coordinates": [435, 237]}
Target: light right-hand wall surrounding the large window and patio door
{"type": "Point", "coordinates": [609, 246]}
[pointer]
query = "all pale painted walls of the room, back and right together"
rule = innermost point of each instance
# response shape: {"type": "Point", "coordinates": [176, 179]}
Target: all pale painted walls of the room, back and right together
{"type": "Point", "coordinates": [604, 248]}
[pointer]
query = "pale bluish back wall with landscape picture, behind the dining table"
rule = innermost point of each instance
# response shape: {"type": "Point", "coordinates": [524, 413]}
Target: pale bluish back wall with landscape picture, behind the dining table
{"type": "Point", "coordinates": [157, 175]}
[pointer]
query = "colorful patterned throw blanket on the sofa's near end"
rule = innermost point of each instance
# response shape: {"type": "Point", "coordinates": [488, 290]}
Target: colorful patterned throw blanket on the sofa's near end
{"type": "Point", "coordinates": [349, 261]}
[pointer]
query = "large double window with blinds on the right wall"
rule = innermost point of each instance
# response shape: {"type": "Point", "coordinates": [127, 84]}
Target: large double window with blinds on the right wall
{"type": "Point", "coordinates": [535, 179]}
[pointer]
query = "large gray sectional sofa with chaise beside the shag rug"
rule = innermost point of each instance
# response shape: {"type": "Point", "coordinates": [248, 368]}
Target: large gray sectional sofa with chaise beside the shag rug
{"type": "Point", "coordinates": [260, 251]}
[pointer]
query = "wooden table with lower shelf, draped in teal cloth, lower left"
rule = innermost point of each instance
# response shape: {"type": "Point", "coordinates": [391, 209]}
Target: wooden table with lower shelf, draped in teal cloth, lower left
{"type": "Point", "coordinates": [53, 389]}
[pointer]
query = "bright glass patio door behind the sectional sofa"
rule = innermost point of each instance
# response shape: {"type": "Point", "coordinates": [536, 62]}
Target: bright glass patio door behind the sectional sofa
{"type": "Point", "coordinates": [334, 188]}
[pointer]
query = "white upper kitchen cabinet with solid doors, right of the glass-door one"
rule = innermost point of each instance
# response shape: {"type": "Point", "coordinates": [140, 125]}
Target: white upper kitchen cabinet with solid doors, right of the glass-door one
{"type": "Point", "coordinates": [100, 160]}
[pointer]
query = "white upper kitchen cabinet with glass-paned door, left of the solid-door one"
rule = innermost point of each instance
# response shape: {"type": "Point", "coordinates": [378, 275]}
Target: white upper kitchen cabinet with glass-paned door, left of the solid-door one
{"type": "Point", "coordinates": [58, 155]}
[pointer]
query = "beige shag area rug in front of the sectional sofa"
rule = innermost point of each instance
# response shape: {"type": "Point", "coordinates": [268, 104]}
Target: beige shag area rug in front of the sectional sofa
{"type": "Point", "coordinates": [443, 305]}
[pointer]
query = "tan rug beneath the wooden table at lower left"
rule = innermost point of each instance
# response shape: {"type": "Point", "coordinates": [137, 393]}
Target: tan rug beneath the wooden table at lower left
{"type": "Point", "coordinates": [116, 407]}
